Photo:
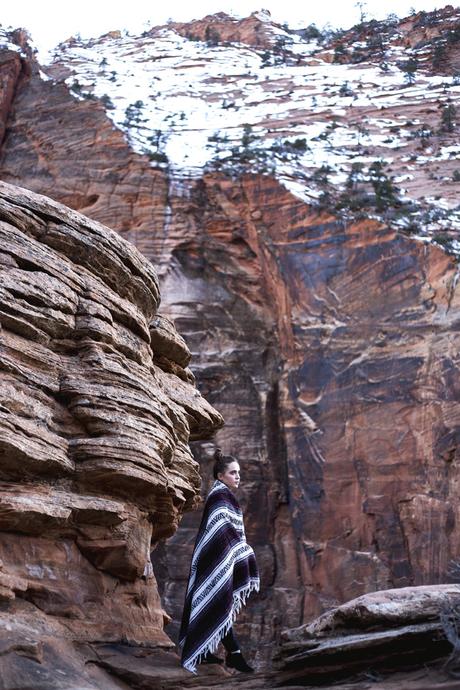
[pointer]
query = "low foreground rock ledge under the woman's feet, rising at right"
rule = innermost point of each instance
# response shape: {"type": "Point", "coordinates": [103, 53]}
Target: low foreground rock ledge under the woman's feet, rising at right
{"type": "Point", "coordinates": [399, 639]}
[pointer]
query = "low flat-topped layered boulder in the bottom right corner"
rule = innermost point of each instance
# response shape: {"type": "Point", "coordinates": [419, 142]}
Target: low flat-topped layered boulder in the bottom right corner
{"type": "Point", "coordinates": [385, 632]}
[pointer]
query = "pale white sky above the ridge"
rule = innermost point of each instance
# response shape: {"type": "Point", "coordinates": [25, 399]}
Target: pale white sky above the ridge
{"type": "Point", "coordinates": [50, 22]}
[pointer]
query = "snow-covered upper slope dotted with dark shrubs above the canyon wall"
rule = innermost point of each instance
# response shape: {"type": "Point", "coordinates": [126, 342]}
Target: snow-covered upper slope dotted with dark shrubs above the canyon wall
{"type": "Point", "coordinates": [334, 130]}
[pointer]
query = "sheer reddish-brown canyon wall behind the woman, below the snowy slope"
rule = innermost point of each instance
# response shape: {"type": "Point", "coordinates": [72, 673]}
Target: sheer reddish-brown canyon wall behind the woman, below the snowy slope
{"type": "Point", "coordinates": [329, 347]}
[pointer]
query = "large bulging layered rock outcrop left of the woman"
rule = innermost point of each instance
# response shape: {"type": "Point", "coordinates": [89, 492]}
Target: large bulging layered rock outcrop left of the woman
{"type": "Point", "coordinates": [96, 416]}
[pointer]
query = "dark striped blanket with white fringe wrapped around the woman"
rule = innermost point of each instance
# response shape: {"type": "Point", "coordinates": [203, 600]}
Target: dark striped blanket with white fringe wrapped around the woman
{"type": "Point", "coordinates": [222, 575]}
